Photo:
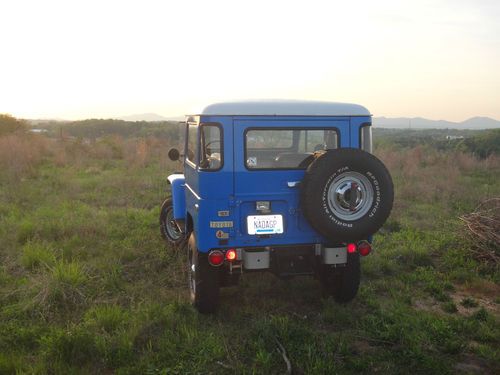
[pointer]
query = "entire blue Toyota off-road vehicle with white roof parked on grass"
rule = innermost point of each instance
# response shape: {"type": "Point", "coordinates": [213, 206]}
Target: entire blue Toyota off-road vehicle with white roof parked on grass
{"type": "Point", "coordinates": [289, 187]}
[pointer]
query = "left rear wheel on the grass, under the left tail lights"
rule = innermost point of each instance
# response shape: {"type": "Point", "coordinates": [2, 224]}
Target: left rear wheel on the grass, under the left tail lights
{"type": "Point", "coordinates": [203, 279]}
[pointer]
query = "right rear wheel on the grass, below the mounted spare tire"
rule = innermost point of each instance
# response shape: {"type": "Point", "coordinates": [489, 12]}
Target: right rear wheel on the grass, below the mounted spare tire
{"type": "Point", "coordinates": [342, 282]}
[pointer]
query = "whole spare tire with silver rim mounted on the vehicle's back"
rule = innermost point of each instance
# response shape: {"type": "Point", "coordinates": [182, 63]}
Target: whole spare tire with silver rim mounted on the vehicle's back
{"type": "Point", "coordinates": [346, 194]}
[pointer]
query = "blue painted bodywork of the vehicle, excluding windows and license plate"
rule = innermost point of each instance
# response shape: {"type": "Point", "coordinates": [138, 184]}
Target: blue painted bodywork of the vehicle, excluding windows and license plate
{"type": "Point", "coordinates": [236, 189]}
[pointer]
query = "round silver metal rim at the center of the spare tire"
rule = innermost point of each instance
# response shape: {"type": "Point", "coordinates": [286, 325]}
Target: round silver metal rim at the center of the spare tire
{"type": "Point", "coordinates": [350, 196]}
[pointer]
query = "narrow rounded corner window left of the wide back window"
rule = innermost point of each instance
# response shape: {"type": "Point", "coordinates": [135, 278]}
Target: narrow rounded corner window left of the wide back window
{"type": "Point", "coordinates": [210, 147]}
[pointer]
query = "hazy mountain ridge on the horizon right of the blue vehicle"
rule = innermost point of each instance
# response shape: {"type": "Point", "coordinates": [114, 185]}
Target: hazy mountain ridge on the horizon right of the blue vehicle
{"type": "Point", "coordinates": [422, 123]}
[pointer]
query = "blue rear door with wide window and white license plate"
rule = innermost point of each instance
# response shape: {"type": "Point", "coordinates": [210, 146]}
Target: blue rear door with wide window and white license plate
{"type": "Point", "coordinates": [269, 162]}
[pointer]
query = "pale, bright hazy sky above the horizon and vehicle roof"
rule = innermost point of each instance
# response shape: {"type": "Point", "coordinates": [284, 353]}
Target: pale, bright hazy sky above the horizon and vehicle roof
{"type": "Point", "coordinates": [97, 59]}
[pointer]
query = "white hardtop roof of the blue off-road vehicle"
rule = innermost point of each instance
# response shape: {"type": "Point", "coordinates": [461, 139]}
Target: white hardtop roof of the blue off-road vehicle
{"type": "Point", "coordinates": [284, 108]}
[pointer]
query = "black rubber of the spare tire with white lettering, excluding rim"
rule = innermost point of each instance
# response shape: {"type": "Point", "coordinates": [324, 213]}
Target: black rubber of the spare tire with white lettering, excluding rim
{"type": "Point", "coordinates": [314, 194]}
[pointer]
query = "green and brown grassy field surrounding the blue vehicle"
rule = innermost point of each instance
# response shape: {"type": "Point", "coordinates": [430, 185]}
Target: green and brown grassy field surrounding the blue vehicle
{"type": "Point", "coordinates": [88, 286]}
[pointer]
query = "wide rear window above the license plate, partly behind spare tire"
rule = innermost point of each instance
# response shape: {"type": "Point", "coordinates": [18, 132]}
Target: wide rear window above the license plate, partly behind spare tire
{"type": "Point", "coordinates": [286, 148]}
